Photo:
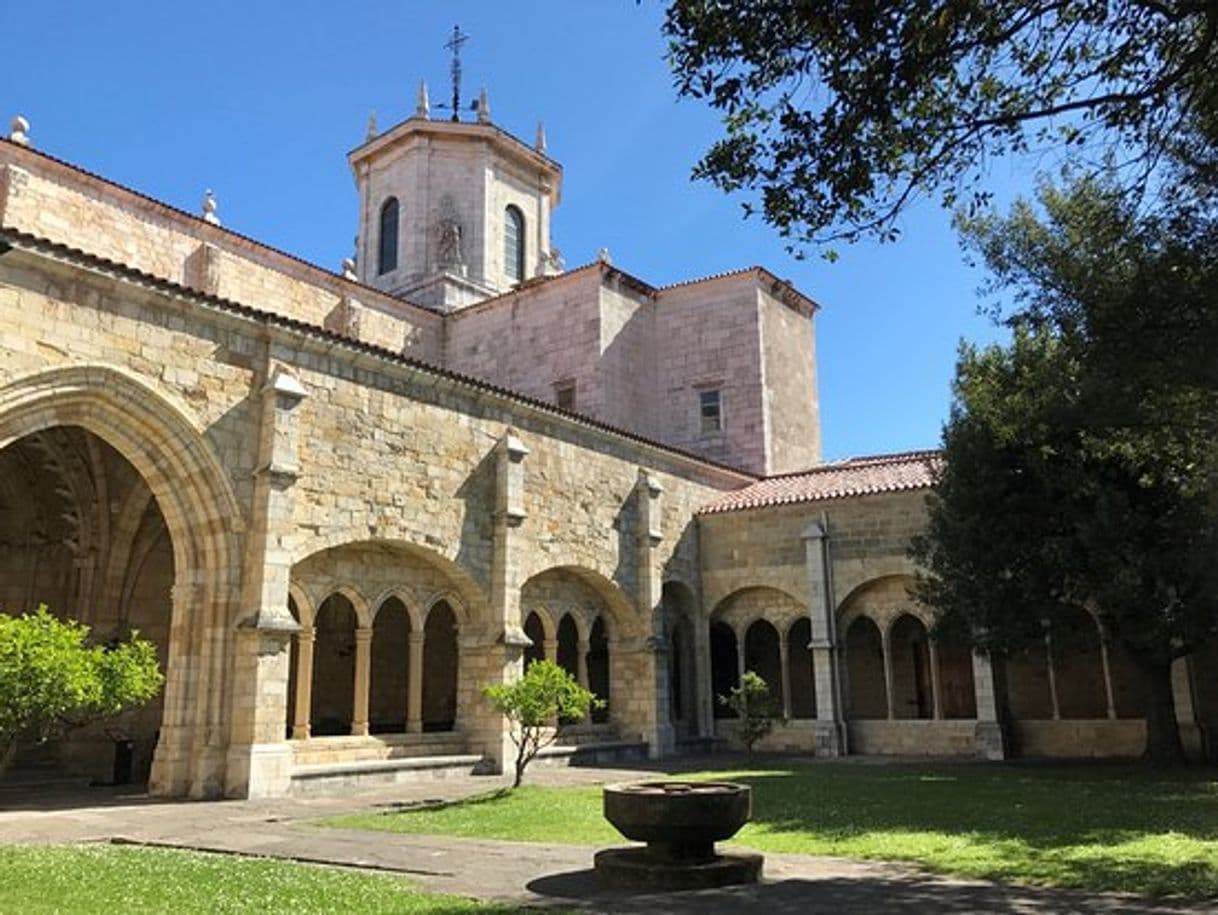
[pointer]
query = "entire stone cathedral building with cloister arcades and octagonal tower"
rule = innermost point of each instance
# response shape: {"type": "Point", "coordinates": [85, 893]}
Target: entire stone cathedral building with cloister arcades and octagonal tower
{"type": "Point", "coordinates": [343, 503]}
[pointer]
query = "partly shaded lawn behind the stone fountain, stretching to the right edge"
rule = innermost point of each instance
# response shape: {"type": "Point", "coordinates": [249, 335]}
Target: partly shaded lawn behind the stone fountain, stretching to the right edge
{"type": "Point", "coordinates": [1098, 828]}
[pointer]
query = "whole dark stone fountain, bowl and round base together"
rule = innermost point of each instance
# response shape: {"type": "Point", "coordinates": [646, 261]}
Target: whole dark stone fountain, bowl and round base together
{"type": "Point", "coordinates": [680, 822]}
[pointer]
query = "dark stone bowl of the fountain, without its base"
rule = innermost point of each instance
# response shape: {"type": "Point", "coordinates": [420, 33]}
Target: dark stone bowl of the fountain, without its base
{"type": "Point", "coordinates": [678, 814]}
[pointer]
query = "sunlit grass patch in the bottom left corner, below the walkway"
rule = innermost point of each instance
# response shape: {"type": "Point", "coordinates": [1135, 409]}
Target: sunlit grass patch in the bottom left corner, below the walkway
{"type": "Point", "coordinates": [122, 879]}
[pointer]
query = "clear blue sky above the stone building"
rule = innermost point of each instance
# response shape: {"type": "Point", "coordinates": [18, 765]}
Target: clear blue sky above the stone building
{"type": "Point", "coordinates": [262, 102]}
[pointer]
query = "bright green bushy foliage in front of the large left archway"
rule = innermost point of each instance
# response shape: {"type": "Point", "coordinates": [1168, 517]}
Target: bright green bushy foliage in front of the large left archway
{"type": "Point", "coordinates": [52, 680]}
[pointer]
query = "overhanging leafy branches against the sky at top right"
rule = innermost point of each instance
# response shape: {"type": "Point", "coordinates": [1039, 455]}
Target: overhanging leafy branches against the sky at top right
{"type": "Point", "coordinates": [837, 115]}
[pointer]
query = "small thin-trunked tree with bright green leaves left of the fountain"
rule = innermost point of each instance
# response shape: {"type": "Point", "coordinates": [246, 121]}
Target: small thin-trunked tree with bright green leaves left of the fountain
{"type": "Point", "coordinates": [534, 704]}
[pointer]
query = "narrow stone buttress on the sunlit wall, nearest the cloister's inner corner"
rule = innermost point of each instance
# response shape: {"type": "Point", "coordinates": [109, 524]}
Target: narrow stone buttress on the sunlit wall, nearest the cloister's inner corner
{"type": "Point", "coordinates": [657, 727]}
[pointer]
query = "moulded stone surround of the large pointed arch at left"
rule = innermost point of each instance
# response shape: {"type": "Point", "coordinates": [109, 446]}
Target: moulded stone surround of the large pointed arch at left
{"type": "Point", "coordinates": [159, 438]}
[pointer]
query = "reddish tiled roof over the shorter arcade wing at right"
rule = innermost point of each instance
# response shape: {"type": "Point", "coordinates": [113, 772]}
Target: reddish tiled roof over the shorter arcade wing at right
{"type": "Point", "coordinates": [854, 477]}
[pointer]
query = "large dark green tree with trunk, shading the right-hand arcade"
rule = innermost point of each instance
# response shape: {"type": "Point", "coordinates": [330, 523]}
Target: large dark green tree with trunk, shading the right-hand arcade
{"type": "Point", "coordinates": [1080, 464]}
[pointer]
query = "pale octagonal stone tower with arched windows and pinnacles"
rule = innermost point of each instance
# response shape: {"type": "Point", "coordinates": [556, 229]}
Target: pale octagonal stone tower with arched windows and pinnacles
{"type": "Point", "coordinates": [452, 211]}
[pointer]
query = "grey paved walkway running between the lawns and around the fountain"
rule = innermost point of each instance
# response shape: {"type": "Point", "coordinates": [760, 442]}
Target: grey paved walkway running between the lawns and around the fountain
{"type": "Point", "coordinates": [526, 874]}
